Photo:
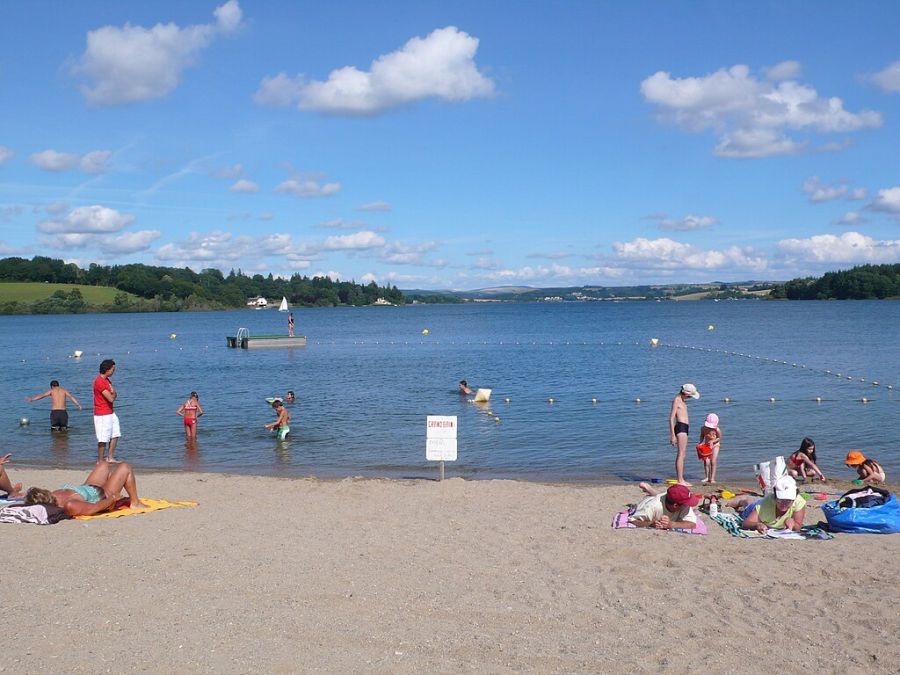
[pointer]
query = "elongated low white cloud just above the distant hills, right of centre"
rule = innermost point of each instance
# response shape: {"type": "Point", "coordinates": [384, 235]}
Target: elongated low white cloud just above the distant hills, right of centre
{"type": "Point", "coordinates": [668, 254]}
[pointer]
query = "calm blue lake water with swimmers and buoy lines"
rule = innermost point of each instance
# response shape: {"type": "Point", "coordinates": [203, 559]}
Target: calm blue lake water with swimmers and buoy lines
{"type": "Point", "coordinates": [369, 377]}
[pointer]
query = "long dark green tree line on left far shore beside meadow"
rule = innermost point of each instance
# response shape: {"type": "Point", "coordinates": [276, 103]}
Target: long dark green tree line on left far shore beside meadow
{"type": "Point", "coordinates": [175, 289]}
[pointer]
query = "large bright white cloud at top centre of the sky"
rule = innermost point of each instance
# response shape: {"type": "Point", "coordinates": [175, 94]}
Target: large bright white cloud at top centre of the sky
{"type": "Point", "coordinates": [440, 65]}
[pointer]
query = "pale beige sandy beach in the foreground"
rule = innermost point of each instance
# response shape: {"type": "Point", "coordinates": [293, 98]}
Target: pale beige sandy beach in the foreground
{"type": "Point", "coordinates": [298, 575]}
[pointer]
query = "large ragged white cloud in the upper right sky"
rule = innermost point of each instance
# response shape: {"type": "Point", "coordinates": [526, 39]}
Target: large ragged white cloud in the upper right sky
{"type": "Point", "coordinates": [751, 116]}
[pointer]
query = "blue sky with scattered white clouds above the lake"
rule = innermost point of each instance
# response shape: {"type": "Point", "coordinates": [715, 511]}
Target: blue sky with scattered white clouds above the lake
{"type": "Point", "coordinates": [454, 145]}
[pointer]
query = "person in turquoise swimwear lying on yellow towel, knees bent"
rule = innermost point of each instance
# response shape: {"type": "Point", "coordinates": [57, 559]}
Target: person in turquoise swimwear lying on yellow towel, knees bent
{"type": "Point", "coordinates": [99, 492]}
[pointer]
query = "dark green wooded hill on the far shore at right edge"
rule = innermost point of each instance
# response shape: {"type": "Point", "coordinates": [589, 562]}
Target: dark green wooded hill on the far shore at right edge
{"type": "Point", "coordinates": [858, 283]}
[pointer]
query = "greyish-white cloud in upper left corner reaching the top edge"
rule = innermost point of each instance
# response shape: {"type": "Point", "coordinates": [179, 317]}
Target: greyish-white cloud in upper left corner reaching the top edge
{"type": "Point", "coordinates": [129, 64]}
